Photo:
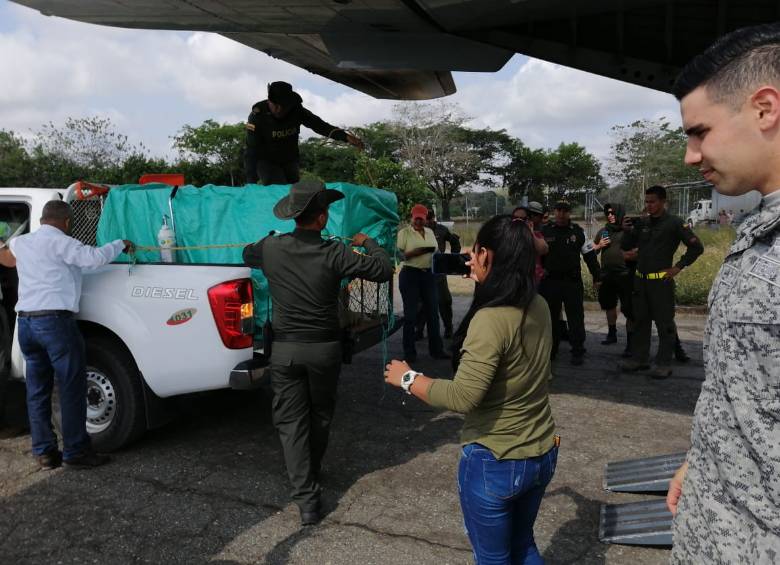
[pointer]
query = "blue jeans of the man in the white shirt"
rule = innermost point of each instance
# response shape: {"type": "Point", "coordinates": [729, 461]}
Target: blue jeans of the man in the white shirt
{"type": "Point", "coordinates": [53, 348]}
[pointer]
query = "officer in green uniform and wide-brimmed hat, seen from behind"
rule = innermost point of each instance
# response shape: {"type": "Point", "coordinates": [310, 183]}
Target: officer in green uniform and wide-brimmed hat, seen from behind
{"type": "Point", "coordinates": [304, 275]}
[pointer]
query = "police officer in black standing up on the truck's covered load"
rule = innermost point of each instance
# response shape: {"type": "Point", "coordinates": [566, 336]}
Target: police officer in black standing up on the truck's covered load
{"type": "Point", "coordinates": [272, 131]}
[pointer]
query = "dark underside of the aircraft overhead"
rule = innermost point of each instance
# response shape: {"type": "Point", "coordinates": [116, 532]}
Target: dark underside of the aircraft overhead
{"type": "Point", "coordinates": [405, 49]}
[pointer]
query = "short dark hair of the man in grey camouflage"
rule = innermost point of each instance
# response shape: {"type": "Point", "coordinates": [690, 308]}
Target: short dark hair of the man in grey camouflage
{"type": "Point", "coordinates": [733, 64]}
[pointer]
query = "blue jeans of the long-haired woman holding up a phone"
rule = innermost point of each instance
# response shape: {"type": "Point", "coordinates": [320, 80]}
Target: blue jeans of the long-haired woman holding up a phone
{"type": "Point", "coordinates": [500, 500]}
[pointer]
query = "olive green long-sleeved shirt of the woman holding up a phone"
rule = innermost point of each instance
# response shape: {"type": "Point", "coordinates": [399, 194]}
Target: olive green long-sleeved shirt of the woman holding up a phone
{"type": "Point", "coordinates": [502, 382]}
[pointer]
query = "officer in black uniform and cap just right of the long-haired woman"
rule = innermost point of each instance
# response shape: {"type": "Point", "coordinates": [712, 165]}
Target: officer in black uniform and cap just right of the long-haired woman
{"type": "Point", "coordinates": [562, 282]}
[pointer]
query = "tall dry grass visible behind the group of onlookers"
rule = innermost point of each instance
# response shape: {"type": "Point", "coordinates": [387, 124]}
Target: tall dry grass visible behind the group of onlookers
{"type": "Point", "coordinates": [693, 284]}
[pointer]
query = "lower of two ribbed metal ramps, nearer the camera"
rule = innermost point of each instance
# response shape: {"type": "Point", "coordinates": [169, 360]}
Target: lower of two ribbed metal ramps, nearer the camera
{"type": "Point", "coordinates": [636, 523]}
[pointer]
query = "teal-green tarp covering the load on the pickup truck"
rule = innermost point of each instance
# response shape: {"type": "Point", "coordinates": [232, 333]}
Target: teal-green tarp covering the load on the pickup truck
{"type": "Point", "coordinates": [217, 215]}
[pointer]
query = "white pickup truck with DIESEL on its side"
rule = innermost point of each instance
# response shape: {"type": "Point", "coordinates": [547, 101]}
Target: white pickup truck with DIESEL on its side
{"type": "Point", "coordinates": [153, 331]}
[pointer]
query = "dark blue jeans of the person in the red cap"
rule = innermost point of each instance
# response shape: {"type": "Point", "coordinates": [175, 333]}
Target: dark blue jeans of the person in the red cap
{"type": "Point", "coordinates": [417, 285]}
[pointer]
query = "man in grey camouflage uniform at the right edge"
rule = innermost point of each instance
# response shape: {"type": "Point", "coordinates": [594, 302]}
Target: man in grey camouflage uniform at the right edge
{"type": "Point", "coordinates": [726, 497]}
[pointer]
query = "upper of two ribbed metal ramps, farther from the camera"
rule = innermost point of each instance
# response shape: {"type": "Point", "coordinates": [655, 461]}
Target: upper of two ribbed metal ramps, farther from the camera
{"type": "Point", "coordinates": [651, 474]}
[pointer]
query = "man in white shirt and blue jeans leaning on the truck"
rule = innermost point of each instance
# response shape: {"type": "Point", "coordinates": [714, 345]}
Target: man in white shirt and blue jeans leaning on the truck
{"type": "Point", "coordinates": [49, 263]}
